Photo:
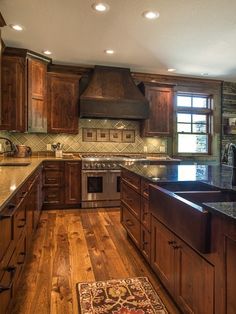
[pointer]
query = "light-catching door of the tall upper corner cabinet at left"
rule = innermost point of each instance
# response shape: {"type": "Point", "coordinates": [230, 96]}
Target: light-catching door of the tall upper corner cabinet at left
{"type": "Point", "coordinates": [37, 106]}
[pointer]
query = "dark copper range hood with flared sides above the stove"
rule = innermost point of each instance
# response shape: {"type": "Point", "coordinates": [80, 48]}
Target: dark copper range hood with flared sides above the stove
{"type": "Point", "coordinates": [112, 93]}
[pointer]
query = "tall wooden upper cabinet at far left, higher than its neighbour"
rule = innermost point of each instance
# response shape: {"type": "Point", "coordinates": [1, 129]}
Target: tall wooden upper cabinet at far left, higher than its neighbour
{"type": "Point", "coordinates": [24, 105]}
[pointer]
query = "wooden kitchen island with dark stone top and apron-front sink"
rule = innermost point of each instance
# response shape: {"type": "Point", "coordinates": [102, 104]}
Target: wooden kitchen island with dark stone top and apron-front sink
{"type": "Point", "coordinates": [182, 219]}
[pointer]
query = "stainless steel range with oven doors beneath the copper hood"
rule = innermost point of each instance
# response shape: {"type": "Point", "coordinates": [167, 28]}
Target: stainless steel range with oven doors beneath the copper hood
{"type": "Point", "coordinates": [101, 180]}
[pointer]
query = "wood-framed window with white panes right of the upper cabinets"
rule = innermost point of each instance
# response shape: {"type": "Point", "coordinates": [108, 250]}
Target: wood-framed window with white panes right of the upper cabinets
{"type": "Point", "coordinates": [194, 114]}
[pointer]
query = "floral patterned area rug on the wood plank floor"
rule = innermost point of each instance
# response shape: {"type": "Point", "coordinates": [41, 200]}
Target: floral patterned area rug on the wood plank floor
{"type": "Point", "coordinates": [119, 296]}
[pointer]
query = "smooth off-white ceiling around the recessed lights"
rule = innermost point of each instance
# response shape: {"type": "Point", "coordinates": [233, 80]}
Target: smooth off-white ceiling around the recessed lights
{"type": "Point", "coordinates": [193, 36]}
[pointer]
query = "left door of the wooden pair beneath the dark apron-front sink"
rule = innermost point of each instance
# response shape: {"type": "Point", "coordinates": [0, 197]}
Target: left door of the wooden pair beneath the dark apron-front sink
{"type": "Point", "coordinates": [162, 256]}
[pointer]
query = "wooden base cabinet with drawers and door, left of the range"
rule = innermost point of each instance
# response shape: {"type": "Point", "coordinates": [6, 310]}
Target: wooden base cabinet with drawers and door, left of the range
{"type": "Point", "coordinates": [61, 184]}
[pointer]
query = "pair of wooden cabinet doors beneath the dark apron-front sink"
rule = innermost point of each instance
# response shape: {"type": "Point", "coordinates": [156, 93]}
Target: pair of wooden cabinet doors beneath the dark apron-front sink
{"type": "Point", "coordinates": [185, 273]}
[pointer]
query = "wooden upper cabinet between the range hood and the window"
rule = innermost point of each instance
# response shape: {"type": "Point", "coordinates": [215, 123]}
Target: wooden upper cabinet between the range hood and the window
{"type": "Point", "coordinates": [160, 99]}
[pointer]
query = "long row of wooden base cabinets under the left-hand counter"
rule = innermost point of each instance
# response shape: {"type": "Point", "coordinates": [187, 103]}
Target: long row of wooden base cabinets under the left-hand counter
{"type": "Point", "coordinates": [16, 227]}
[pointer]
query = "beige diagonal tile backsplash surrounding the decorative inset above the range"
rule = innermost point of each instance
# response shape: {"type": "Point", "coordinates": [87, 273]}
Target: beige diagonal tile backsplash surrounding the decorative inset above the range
{"type": "Point", "coordinates": [75, 143]}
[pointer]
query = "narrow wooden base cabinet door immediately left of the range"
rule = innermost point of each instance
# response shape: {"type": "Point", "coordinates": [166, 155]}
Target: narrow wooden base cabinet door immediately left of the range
{"type": "Point", "coordinates": [73, 182]}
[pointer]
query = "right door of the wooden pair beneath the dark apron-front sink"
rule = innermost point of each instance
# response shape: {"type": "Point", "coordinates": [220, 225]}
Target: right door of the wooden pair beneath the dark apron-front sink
{"type": "Point", "coordinates": [194, 280]}
